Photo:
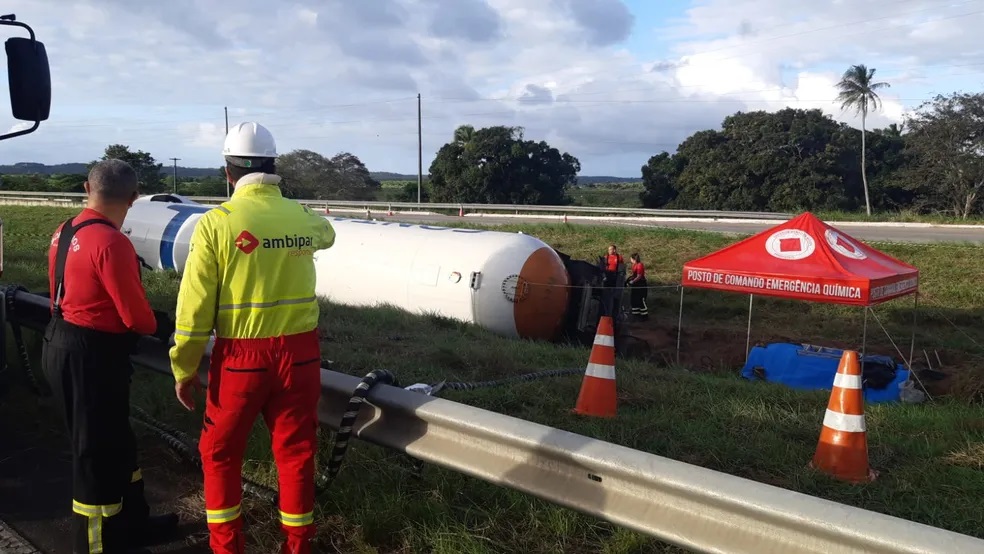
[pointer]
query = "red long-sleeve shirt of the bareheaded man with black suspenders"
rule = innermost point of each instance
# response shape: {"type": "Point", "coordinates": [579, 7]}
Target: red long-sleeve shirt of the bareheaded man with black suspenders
{"type": "Point", "coordinates": [103, 290]}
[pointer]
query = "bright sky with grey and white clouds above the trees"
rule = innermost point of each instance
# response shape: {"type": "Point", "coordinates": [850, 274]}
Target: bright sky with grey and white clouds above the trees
{"type": "Point", "coordinates": [612, 82]}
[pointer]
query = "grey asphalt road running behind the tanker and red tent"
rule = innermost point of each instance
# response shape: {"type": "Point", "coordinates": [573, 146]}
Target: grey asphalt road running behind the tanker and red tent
{"type": "Point", "coordinates": [865, 232]}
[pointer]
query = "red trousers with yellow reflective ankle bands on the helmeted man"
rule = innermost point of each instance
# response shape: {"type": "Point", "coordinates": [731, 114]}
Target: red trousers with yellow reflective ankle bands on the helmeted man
{"type": "Point", "coordinates": [280, 378]}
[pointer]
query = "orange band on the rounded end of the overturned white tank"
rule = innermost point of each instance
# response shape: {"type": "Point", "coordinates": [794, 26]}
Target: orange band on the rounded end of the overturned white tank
{"type": "Point", "coordinates": [540, 312]}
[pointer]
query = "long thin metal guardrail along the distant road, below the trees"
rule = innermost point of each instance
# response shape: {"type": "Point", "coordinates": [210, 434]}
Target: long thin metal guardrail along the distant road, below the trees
{"type": "Point", "coordinates": [68, 197]}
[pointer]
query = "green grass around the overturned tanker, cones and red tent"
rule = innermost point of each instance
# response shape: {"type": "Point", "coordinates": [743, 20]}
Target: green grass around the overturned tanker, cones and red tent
{"type": "Point", "coordinates": [930, 455]}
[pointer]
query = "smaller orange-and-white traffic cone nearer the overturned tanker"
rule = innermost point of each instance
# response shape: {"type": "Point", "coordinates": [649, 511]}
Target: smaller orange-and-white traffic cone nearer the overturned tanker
{"type": "Point", "coordinates": [598, 395]}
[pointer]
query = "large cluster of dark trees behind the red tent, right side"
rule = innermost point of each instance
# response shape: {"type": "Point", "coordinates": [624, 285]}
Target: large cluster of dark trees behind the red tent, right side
{"type": "Point", "coordinates": [795, 160]}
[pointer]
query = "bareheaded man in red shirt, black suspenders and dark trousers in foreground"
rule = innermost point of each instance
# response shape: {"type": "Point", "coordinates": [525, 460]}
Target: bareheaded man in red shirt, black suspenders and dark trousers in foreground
{"type": "Point", "coordinates": [99, 309]}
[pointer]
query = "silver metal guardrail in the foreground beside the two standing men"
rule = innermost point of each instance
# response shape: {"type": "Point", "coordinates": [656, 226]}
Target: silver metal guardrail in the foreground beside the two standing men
{"type": "Point", "coordinates": [683, 504]}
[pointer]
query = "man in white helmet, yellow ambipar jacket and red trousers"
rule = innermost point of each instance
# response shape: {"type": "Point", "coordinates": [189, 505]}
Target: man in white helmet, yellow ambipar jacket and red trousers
{"type": "Point", "coordinates": [250, 277]}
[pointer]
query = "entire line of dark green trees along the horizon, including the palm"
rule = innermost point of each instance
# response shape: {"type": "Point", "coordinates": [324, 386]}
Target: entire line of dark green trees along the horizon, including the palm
{"type": "Point", "coordinates": [788, 161]}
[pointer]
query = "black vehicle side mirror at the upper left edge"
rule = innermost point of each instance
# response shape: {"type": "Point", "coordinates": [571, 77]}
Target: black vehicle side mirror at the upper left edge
{"type": "Point", "coordinates": [29, 78]}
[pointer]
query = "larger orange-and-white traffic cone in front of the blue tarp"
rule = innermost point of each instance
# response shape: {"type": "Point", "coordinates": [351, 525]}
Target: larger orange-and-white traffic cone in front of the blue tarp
{"type": "Point", "coordinates": [843, 448]}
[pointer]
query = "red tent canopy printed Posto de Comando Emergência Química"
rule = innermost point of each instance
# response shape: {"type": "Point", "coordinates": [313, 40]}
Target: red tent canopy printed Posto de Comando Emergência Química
{"type": "Point", "coordinates": [805, 259]}
